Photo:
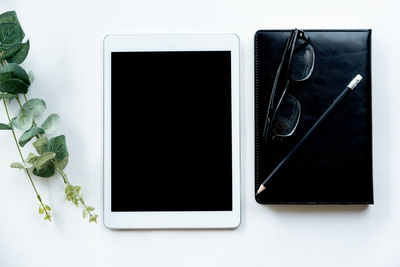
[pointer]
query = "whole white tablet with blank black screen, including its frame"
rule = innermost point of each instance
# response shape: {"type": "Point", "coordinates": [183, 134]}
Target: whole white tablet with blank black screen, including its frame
{"type": "Point", "coordinates": [171, 131]}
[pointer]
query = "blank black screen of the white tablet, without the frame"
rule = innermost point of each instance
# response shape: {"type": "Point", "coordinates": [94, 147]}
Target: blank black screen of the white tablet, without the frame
{"type": "Point", "coordinates": [171, 131]}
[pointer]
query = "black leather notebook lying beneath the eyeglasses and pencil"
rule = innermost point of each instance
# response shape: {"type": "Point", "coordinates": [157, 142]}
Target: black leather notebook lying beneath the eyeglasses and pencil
{"type": "Point", "coordinates": [334, 165]}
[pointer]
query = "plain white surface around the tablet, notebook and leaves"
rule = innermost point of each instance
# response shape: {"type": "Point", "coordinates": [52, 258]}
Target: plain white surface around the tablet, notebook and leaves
{"type": "Point", "coordinates": [66, 56]}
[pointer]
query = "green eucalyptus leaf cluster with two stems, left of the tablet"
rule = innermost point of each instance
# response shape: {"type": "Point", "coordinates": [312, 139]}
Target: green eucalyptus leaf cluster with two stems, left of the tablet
{"type": "Point", "coordinates": [52, 154]}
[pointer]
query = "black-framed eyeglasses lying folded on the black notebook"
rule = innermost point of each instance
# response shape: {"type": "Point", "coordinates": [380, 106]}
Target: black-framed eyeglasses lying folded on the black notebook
{"type": "Point", "coordinates": [297, 64]}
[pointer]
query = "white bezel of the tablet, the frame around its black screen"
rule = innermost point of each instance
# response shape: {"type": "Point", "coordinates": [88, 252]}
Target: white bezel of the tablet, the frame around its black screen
{"type": "Point", "coordinates": [185, 219]}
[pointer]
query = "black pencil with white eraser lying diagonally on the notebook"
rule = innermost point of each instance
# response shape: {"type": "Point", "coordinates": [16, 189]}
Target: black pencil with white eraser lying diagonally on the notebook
{"type": "Point", "coordinates": [339, 98]}
